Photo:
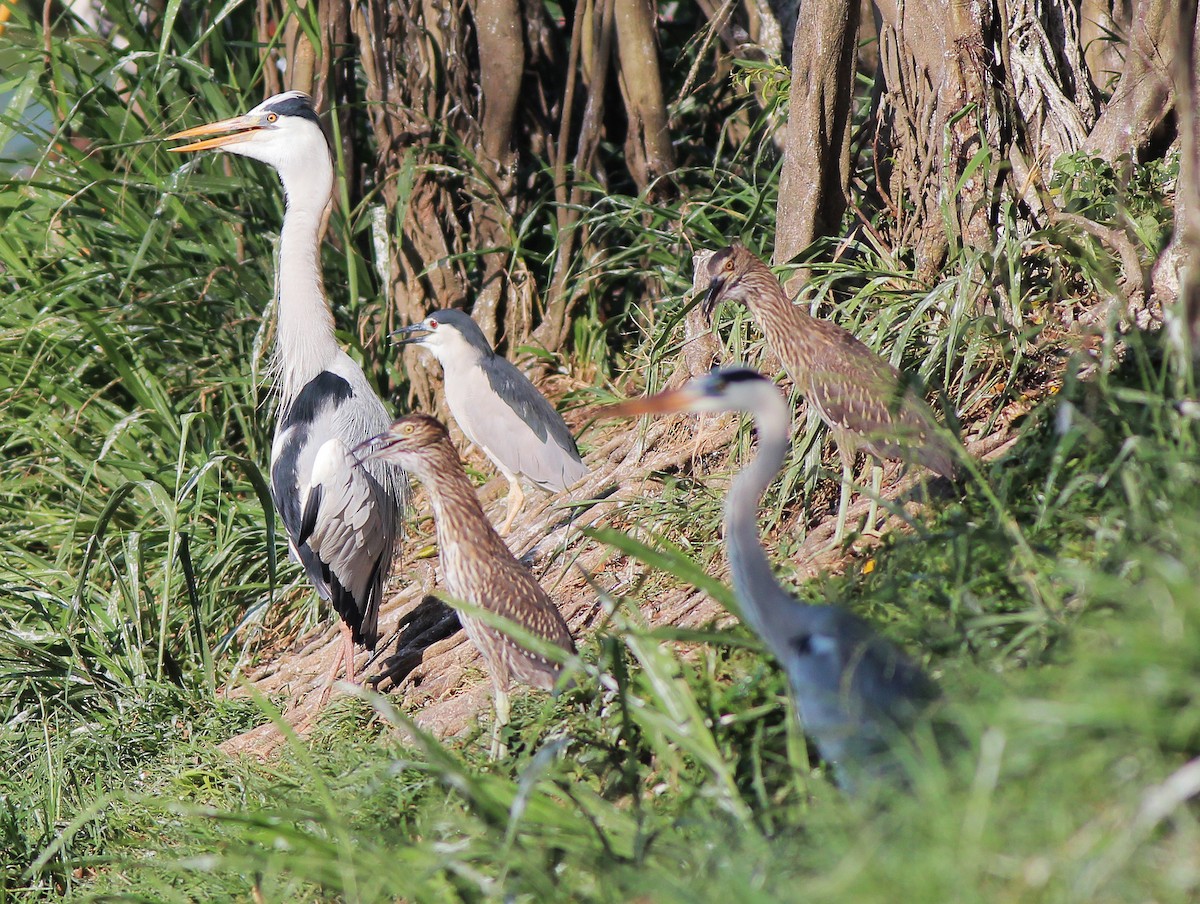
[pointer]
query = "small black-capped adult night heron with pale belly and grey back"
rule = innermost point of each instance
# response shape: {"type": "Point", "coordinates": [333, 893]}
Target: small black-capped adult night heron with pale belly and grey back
{"type": "Point", "coordinates": [499, 409]}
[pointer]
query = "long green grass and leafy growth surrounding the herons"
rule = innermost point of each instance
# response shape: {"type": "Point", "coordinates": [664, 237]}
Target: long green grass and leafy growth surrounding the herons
{"type": "Point", "coordinates": [1054, 598]}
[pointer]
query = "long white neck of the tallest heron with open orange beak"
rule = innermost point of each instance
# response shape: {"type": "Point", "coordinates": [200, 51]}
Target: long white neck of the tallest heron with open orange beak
{"type": "Point", "coordinates": [305, 344]}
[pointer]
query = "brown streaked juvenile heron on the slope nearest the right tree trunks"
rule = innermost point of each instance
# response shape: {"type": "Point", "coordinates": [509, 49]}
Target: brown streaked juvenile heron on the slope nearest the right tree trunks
{"type": "Point", "coordinates": [866, 402]}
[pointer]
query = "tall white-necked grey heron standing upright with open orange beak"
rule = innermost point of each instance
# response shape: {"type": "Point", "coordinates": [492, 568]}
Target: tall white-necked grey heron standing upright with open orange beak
{"type": "Point", "coordinates": [343, 518]}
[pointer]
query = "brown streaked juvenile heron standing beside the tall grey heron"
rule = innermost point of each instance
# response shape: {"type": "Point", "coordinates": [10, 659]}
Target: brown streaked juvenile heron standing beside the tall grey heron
{"type": "Point", "coordinates": [477, 566]}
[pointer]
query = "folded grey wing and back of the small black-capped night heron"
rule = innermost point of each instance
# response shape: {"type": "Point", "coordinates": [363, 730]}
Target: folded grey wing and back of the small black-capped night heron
{"type": "Point", "coordinates": [544, 451]}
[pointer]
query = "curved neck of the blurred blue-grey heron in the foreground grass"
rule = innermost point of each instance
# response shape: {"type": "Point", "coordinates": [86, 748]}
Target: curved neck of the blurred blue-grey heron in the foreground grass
{"type": "Point", "coordinates": [754, 582]}
